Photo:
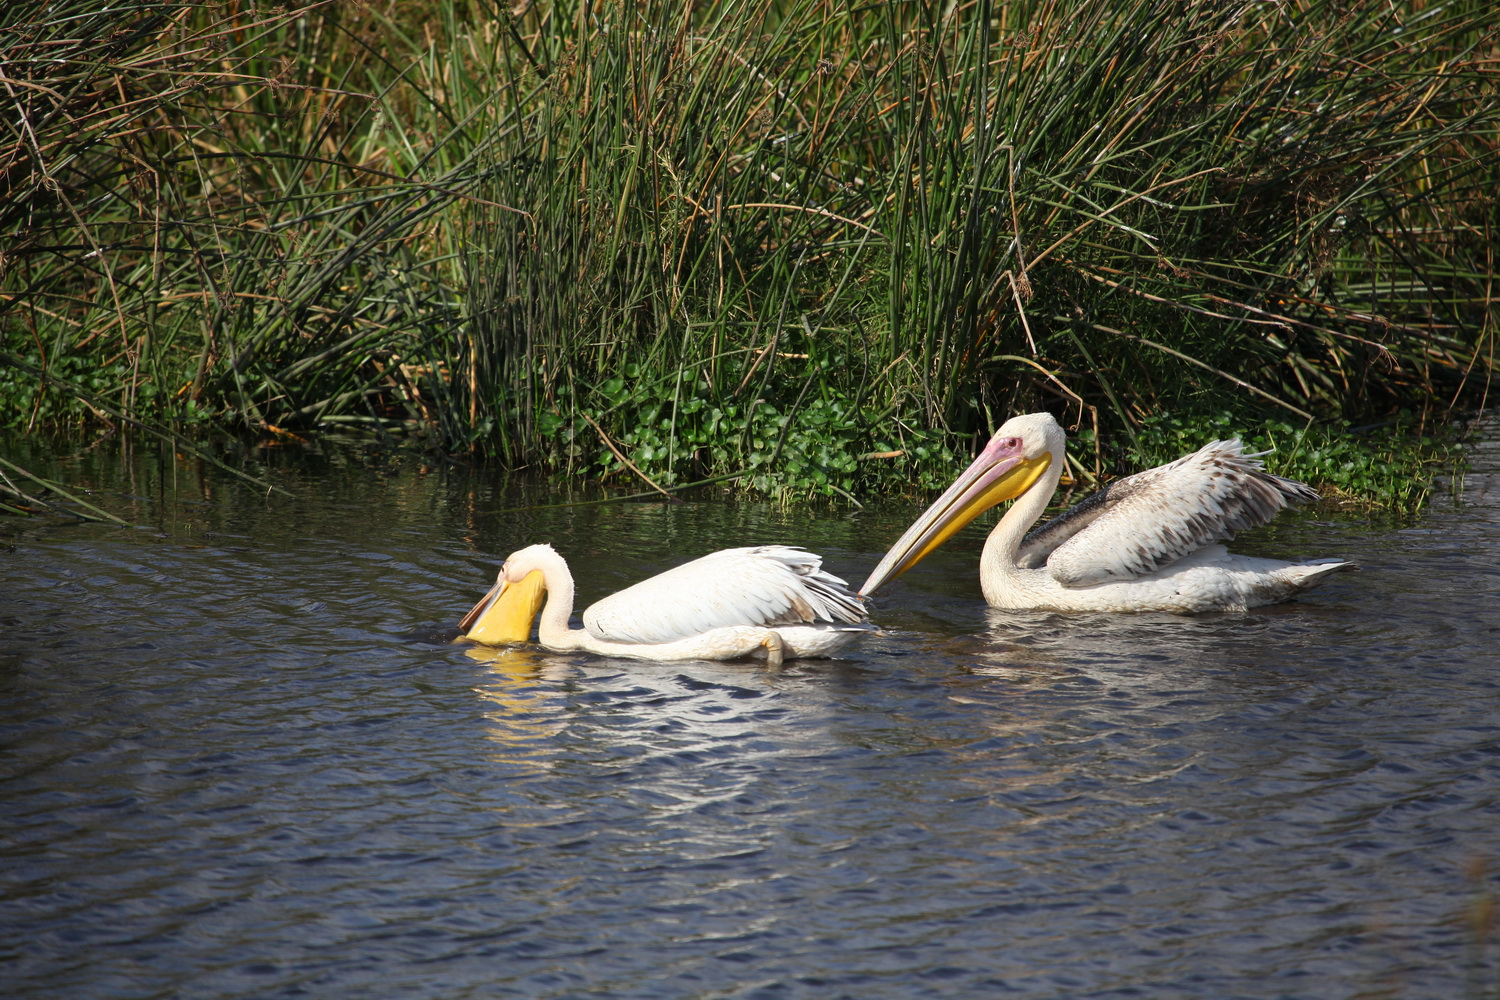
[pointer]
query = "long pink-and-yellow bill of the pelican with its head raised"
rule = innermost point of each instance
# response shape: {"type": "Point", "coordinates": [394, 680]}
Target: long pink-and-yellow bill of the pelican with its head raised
{"type": "Point", "coordinates": [1001, 473]}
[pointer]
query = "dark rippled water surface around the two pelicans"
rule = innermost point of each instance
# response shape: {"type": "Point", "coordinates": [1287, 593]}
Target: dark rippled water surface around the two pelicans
{"type": "Point", "coordinates": [244, 761]}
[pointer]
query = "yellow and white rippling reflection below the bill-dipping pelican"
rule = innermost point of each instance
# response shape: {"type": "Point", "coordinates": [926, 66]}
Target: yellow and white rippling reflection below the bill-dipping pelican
{"type": "Point", "coordinates": [647, 734]}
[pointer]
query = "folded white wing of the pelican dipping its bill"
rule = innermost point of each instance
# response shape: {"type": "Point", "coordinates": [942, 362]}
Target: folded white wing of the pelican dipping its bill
{"type": "Point", "coordinates": [760, 585]}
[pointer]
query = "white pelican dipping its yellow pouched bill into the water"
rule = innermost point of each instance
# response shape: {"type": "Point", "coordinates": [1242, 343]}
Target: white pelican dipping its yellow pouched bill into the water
{"type": "Point", "coordinates": [772, 602]}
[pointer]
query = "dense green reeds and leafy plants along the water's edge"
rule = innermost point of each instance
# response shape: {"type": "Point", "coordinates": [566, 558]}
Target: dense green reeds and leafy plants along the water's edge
{"type": "Point", "coordinates": [802, 248]}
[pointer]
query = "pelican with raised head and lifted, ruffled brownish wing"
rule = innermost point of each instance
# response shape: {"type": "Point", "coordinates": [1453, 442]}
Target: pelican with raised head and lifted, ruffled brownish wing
{"type": "Point", "coordinates": [1148, 542]}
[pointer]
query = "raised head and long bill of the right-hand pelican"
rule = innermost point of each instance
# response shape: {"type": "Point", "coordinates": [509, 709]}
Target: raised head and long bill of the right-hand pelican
{"type": "Point", "coordinates": [1018, 457]}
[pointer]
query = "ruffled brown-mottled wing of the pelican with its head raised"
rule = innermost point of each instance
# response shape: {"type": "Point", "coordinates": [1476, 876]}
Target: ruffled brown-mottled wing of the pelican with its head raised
{"type": "Point", "coordinates": [1148, 521]}
